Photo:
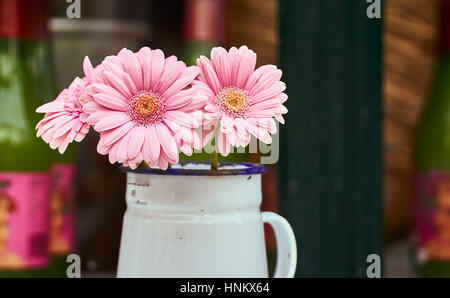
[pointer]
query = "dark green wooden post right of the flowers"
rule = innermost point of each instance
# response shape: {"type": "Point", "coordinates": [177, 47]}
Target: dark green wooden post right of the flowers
{"type": "Point", "coordinates": [330, 148]}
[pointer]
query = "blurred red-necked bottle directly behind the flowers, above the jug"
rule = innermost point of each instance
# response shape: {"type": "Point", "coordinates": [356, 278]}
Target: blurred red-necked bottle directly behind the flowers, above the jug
{"type": "Point", "coordinates": [205, 27]}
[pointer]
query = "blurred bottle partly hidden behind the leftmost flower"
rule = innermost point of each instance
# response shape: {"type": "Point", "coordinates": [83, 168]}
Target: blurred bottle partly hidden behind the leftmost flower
{"type": "Point", "coordinates": [38, 60]}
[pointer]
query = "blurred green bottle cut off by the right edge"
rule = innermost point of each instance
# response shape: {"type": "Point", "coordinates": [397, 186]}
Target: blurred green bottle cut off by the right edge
{"type": "Point", "coordinates": [432, 201]}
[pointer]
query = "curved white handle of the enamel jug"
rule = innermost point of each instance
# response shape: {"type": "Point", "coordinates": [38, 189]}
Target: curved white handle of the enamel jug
{"type": "Point", "coordinates": [286, 245]}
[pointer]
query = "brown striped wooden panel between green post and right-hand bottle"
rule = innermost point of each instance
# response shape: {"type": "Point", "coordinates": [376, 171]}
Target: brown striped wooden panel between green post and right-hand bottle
{"type": "Point", "coordinates": [411, 32]}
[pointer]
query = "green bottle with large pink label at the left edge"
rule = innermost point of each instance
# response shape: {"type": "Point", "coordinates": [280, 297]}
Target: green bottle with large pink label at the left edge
{"type": "Point", "coordinates": [24, 159]}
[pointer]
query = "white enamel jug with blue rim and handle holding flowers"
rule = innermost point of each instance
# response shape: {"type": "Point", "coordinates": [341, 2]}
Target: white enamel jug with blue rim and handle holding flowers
{"type": "Point", "coordinates": [191, 222]}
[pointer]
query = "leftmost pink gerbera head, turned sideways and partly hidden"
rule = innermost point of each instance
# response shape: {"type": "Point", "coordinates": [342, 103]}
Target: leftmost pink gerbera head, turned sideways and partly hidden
{"type": "Point", "coordinates": [64, 120]}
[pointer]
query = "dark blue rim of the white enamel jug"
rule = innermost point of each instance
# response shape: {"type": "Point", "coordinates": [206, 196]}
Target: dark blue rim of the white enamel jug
{"type": "Point", "coordinates": [225, 169]}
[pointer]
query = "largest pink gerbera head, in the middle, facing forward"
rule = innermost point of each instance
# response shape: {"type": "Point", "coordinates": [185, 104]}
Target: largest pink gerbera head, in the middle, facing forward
{"type": "Point", "coordinates": [143, 110]}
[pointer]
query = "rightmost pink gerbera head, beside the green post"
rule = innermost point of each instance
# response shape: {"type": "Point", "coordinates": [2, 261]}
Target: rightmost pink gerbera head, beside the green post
{"type": "Point", "coordinates": [242, 100]}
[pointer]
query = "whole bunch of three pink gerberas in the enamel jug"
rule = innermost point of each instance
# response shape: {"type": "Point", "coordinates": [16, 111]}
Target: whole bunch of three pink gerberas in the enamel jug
{"type": "Point", "coordinates": [147, 107]}
